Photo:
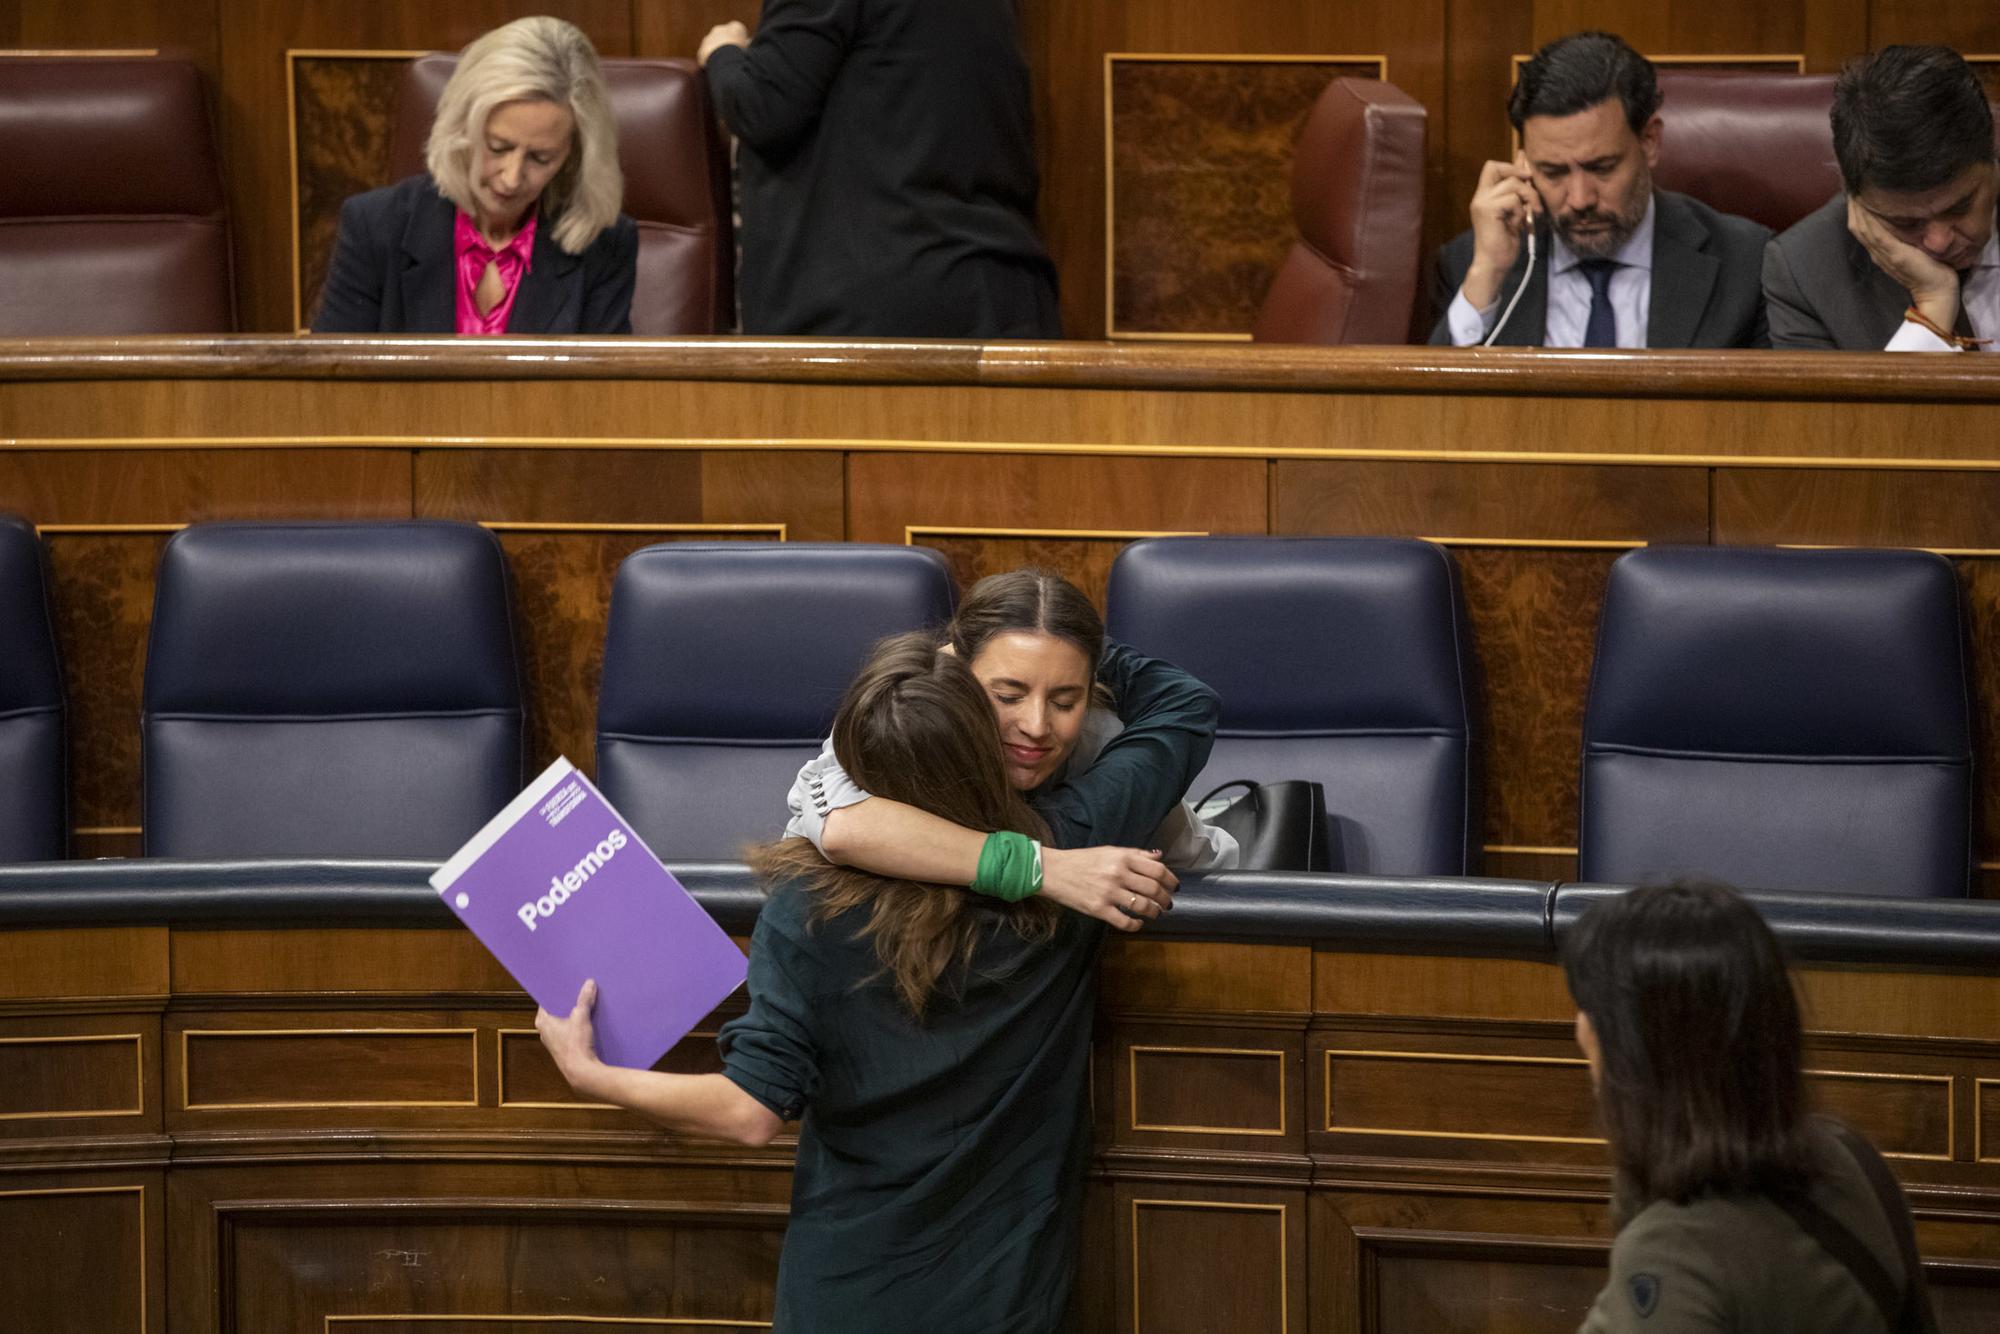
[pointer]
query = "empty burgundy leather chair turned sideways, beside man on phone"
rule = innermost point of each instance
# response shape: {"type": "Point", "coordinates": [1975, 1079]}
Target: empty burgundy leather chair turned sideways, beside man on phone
{"type": "Point", "coordinates": [1359, 205]}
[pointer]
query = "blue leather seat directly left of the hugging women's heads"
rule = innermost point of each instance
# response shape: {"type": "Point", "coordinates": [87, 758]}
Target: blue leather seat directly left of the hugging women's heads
{"type": "Point", "coordinates": [723, 669]}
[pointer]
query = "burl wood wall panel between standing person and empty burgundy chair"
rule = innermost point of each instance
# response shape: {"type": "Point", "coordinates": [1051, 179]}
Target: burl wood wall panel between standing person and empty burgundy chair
{"type": "Point", "coordinates": [1201, 185]}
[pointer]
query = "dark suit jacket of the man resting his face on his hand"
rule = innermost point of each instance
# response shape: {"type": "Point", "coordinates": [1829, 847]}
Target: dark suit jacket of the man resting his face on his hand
{"type": "Point", "coordinates": [1825, 291]}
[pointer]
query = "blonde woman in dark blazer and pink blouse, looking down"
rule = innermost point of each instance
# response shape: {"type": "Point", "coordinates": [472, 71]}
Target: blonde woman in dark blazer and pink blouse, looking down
{"type": "Point", "coordinates": [515, 227]}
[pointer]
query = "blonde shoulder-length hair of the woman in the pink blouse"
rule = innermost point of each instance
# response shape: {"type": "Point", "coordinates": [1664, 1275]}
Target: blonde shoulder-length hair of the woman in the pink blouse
{"type": "Point", "coordinates": [535, 61]}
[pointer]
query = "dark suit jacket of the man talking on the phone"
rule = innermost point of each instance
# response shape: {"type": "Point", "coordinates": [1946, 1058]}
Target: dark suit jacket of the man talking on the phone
{"type": "Point", "coordinates": [1707, 287]}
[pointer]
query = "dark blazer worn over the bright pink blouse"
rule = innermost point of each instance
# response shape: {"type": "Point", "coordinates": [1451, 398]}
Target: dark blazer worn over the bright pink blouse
{"type": "Point", "coordinates": [395, 273]}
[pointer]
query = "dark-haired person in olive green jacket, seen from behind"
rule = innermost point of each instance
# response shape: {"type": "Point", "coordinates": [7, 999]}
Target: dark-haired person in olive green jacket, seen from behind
{"type": "Point", "coordinates": [1735, 1207]}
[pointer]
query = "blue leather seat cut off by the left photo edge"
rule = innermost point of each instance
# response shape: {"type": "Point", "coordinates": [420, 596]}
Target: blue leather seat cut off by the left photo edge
{"type": "Point", "coordinates": [35, 819]}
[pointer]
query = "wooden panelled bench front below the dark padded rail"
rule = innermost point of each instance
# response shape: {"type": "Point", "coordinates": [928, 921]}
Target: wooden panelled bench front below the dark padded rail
{"type": "Point", "coordinates": [363, 1135]}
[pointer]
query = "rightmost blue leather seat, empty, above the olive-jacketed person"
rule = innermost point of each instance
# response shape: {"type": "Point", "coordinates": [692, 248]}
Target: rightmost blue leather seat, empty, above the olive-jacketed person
{"type": "Point", "coordinates": [1783, 721]}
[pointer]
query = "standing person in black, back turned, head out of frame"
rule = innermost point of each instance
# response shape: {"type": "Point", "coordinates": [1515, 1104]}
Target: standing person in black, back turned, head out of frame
{"type": "Point", "coordinates": [887, 171]}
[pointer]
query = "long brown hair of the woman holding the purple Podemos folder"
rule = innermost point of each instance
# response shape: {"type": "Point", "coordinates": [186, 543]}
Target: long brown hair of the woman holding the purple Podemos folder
{"type": "Point", "coordinates": [917, 729]}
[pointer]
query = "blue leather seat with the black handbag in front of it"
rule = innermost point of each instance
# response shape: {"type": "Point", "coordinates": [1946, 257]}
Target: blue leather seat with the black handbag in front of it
{"type": "Point", "coordinates": [1345, 661]}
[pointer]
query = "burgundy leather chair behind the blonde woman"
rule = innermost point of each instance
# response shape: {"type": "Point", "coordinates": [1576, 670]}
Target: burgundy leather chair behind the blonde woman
{"type": "Point", "coordinates": [677, 185]}
